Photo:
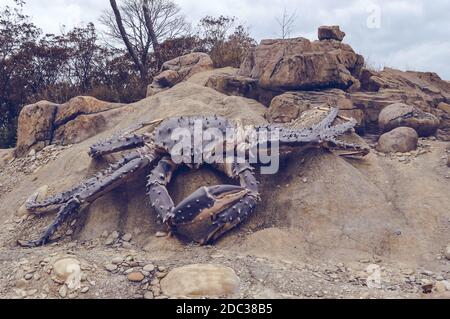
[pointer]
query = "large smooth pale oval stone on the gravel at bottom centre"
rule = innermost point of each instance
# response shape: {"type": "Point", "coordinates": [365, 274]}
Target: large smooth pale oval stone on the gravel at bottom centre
{"type": "Point", "coordinates": [200, 281]}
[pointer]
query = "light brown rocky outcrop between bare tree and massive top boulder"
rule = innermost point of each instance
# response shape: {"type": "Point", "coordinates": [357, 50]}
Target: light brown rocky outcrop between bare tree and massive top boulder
{"type": "Point", "coordinates": [178, 70]}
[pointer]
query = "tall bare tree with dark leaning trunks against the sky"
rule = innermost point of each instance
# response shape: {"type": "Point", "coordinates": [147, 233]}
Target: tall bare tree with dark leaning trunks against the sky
{"type": "Point", "coordinates": [141, 25]}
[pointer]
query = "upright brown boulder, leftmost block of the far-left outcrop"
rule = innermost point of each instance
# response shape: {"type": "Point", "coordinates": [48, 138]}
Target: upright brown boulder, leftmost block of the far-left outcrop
{"type": "Point", "coordinates": [35, 127]}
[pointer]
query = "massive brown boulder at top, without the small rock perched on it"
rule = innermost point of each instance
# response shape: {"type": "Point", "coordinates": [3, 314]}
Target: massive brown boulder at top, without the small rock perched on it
{"type": "Point", "coordinates": [299, 64]}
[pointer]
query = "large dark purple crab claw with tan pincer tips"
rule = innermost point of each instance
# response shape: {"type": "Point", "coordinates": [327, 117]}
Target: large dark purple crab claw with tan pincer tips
{"type": "Point", "coordinates": [195, 215]}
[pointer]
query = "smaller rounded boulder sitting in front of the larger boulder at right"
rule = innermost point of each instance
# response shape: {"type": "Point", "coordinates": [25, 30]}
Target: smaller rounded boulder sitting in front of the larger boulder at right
{"type": "Point", "coordinates": [399, 140]}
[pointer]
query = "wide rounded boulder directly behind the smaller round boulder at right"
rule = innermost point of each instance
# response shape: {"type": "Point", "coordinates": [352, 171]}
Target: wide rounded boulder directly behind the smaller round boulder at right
{"type": "Point", "coordinates": [399, 114]}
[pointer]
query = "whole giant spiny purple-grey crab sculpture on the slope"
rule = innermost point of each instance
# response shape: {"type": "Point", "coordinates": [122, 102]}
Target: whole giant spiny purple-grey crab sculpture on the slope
{"type": "Point", "coordinates": [210, 212]}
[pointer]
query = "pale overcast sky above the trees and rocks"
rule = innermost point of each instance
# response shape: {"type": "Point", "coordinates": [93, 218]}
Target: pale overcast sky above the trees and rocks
{"type": "Point", "coordinates": [406, 34]}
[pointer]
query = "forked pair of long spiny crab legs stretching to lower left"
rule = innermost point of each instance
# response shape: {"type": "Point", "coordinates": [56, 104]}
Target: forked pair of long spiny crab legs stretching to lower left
{"type": "Point", "coordinates": [90, 191]}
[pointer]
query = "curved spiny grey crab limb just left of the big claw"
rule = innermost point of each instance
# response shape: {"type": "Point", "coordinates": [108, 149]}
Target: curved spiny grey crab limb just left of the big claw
{"type": "Point", "coordinates": [157, 188]}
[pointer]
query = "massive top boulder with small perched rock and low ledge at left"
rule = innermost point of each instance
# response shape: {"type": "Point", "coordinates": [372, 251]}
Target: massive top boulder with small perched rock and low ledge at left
{"type": "Point", "coordinates": [278, 66]}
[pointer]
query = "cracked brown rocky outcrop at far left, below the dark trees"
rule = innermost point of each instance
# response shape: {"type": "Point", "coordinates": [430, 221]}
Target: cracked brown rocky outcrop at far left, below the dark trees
{"type": "Point", "coordinates": [46, 123]}
